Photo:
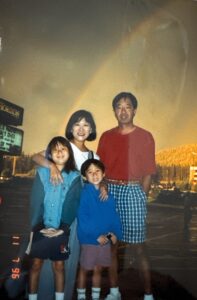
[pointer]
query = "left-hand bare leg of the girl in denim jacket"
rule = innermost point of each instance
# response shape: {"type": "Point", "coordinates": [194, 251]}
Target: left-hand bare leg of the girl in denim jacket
{"type": "Point", "coordinates": [34, 277]}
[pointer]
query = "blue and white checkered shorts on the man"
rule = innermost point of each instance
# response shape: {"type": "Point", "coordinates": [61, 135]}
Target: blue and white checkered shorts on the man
{"type": "Point", "coordinates": [131, 206]}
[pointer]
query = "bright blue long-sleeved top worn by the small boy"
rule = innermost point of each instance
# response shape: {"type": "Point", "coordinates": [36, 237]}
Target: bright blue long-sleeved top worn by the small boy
{"type": "Point", "coordinates": [96, 217]}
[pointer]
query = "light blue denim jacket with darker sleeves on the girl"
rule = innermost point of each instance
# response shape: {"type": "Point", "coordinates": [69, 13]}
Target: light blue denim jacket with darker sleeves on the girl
{"type": "Point", "coordinates": [54, 205]}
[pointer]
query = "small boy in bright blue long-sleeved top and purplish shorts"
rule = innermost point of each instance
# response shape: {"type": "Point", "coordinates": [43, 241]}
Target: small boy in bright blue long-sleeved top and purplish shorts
{"type": "Point", "coordinates": [98, 226]}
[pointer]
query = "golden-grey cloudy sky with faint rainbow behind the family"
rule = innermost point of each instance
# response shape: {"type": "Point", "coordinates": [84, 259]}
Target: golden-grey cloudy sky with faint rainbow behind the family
{"type": "Point", "coordinates": [60, 56]}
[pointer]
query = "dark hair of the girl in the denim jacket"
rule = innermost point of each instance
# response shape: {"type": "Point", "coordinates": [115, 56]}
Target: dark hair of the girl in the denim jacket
{"type": "Point", "coordinates": [70, 163]}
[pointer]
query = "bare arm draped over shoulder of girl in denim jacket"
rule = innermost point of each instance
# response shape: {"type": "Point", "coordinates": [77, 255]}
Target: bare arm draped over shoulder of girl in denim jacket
{"type": "Point", "coordinates": [55, 174]}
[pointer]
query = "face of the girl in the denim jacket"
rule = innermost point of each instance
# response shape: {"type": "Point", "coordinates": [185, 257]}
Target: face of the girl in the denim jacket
{"type": "Point", "coordinates": [60, 155]}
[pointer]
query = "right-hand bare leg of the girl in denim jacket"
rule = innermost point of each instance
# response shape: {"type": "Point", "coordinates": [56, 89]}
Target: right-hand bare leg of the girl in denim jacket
{"type": "Point", "coordinates": [59, 275]}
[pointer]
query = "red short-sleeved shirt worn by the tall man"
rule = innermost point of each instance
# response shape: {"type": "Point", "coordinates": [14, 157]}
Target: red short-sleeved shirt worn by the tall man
{"type": "Point", "coordinates": [127, 156]}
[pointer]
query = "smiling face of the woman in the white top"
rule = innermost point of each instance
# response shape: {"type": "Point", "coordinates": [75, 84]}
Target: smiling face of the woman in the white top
{"type": "Point", "coordinates": [81, 130]}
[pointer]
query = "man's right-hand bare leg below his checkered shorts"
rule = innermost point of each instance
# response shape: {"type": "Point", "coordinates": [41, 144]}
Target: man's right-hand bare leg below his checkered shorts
{"type": "Point", "coordinates": [144, 267]}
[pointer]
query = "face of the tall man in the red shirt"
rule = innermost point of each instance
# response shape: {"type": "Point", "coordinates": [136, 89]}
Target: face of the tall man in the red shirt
{"type": "Point", "coordinates": [124, 111]}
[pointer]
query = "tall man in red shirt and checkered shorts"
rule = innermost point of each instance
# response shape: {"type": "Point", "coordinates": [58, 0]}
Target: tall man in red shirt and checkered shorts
{"type": "Point", "coordinates": [128, 153]}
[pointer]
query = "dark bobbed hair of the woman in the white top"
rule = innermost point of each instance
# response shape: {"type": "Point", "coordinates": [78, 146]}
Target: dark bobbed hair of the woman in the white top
{"type": "Point", "coordinates": [77, 117]}
